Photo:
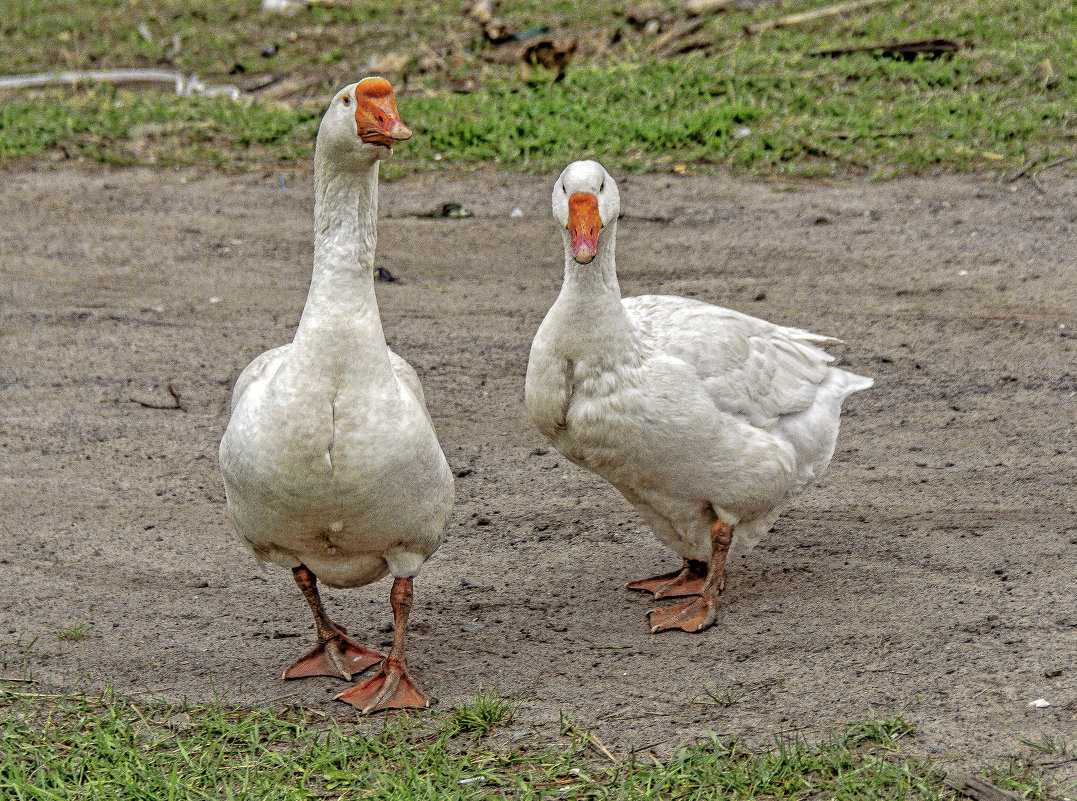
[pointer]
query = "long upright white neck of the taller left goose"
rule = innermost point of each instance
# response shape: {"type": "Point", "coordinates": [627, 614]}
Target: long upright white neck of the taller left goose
{"type": "Point", "coordinates": [341, 327]}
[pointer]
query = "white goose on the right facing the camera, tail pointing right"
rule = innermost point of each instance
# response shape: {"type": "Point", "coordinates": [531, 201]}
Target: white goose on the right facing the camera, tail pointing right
{"type": "Point", "coordinates": [708, 421]}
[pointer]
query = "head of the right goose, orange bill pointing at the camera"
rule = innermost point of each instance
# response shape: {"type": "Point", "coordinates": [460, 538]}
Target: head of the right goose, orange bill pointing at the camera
{"type": "Point", "coordinates": [586, 202]}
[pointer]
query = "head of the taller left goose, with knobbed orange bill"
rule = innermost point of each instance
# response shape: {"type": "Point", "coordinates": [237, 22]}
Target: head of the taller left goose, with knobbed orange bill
{"type": "Point", "coordinates": [362, 121]}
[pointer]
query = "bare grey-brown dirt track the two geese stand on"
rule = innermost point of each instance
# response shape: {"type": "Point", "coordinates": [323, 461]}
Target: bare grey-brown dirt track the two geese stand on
{"type": "Point", "coordinates": [932, 573]}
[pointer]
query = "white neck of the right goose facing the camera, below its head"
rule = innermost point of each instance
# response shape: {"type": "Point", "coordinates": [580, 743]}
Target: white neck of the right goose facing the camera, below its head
{"type": "Point", "coordinates": [589, 310]}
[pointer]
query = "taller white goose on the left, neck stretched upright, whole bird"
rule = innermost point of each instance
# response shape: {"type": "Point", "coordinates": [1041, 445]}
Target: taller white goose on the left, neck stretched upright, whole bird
{"type": "Point", "coordinates": [330, 460]}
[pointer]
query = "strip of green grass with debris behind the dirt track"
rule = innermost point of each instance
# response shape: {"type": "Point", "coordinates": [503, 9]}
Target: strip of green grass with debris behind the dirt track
{"type": "Point", "coordinates": [758, 104]}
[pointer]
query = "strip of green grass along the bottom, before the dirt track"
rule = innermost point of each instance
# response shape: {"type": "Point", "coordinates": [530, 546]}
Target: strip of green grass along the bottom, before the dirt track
{"type": "Point", "coordinates": [107, 748]}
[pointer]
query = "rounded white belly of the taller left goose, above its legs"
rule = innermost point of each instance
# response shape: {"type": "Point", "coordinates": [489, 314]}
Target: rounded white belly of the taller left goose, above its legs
{"type": "Point", "coordinates": [351, 498]}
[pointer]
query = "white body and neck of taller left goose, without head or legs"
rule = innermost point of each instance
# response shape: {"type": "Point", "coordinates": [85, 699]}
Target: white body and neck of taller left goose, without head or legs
{"type": "Point", "coordinates": [330, 459]}
